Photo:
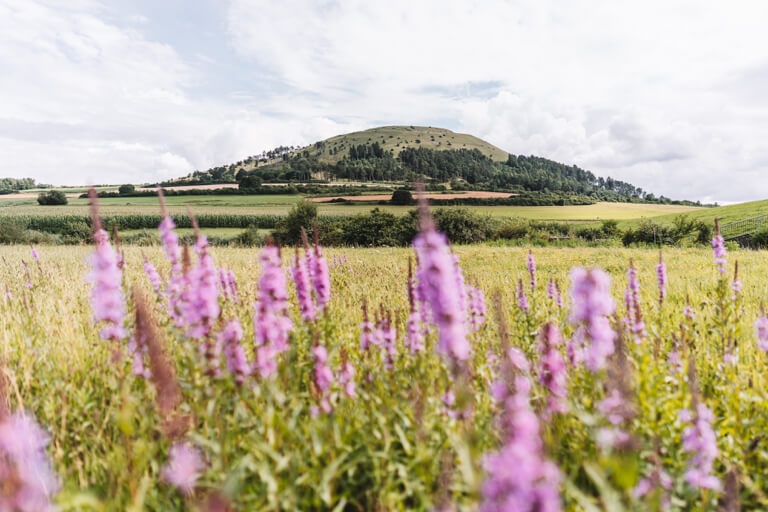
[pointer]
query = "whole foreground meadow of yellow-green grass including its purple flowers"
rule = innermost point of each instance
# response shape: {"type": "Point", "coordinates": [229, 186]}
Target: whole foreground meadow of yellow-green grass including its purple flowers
{"type": "Point", "coordinates": [507, 382]}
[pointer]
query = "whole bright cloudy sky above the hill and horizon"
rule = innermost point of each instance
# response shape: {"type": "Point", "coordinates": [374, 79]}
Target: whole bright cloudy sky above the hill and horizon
{"type": "Point", "coordinates": [670, 95]}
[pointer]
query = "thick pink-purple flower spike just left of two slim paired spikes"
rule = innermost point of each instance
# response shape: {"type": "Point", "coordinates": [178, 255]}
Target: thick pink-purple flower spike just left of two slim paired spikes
{"type": "Point", "coordinates": [271, 323]}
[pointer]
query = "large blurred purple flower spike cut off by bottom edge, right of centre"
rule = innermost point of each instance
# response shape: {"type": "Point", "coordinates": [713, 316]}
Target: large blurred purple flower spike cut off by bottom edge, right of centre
{"type": "Point", "coordinates": [519, 477]}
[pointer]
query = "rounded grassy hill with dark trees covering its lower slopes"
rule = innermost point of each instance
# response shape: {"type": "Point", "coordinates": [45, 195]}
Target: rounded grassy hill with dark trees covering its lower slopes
{"type": "Point", "coordinates": [436, 156]}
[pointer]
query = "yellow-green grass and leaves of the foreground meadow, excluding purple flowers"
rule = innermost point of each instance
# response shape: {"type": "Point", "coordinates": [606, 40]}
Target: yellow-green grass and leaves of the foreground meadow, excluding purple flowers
{"type": "Point", "coordinates": [264, 448]}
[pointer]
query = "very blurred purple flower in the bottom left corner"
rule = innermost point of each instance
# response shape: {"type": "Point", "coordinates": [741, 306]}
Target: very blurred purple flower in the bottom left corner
{"type": "Point", "coordinates": [27, 482]}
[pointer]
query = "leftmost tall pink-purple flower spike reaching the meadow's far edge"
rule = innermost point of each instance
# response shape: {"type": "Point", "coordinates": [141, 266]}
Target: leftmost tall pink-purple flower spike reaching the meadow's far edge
{"type": "Point", "coordinates": [107, 300]}
